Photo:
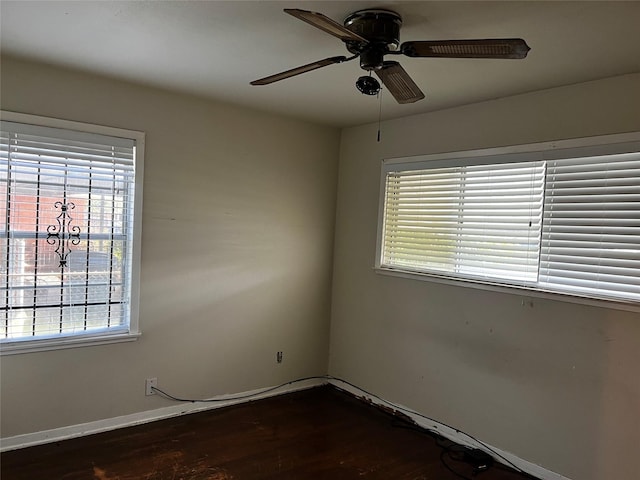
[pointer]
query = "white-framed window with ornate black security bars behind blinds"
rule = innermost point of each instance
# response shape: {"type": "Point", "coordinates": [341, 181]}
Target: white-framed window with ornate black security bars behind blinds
{"type": "Point", "coordinates": [69, 233]}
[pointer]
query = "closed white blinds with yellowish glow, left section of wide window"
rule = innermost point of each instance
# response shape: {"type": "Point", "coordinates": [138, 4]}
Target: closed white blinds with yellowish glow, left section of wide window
{"type": "Point", "coordinates": [480, 221]}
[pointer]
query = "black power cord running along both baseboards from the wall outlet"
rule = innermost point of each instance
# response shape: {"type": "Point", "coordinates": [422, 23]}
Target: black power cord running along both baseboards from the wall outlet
{"type": "Point", "coordinates": [397, 407]}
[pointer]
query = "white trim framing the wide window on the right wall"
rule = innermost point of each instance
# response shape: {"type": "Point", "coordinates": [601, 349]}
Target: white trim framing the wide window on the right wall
{"type": "Point", "coordinates": [552, 150]}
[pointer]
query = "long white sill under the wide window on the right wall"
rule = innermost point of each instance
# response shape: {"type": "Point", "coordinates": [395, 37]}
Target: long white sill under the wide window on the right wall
{"type": "Point", "coordinates": [511, 289]}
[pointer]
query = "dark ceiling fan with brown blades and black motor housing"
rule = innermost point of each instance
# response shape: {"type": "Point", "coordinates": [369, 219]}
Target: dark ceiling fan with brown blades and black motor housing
{"type": "Point", "coordinates": [372, 34]}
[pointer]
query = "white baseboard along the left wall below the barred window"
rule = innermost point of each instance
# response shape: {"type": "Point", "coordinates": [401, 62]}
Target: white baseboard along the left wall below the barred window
{"type": "Point", "coordinates": [90, 428]}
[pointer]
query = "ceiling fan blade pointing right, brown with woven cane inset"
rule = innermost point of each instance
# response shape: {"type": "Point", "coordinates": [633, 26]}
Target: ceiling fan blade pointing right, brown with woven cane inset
{"type": "Point", "coordinates": [488, 48]}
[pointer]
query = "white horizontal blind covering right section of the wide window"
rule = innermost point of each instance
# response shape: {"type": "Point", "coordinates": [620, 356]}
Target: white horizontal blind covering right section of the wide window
{"type": "Point", "coordinates": [591, 232]}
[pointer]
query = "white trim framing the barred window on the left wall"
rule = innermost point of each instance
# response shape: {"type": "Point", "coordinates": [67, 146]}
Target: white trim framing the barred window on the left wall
{"type": "Point", "coordinates": [95, 338]}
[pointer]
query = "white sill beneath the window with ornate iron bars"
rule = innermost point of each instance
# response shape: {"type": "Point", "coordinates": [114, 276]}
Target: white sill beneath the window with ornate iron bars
{"type": "Point", "coordinates": [31, 346]}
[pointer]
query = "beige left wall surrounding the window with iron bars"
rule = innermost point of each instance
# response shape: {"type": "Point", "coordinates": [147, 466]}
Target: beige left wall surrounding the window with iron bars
{"type": "Point", "coordinates": [238, 226]}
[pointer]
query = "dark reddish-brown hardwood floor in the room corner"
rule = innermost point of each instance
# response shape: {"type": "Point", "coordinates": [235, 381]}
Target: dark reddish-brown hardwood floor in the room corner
{"type": "Point", "coordinates": [321, 433]}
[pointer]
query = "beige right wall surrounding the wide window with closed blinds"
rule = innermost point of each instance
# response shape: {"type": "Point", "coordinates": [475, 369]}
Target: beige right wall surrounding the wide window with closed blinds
{"type": "Point", "coordinates": [555, 383]}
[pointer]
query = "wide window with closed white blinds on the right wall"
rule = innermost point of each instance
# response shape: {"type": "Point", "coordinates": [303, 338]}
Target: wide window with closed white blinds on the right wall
{"type": "Point", "coordinates": [555, 218]}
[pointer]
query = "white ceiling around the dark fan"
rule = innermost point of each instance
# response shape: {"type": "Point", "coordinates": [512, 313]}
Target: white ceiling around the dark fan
{"type": "Point", "coordinates": [215, 48]}
